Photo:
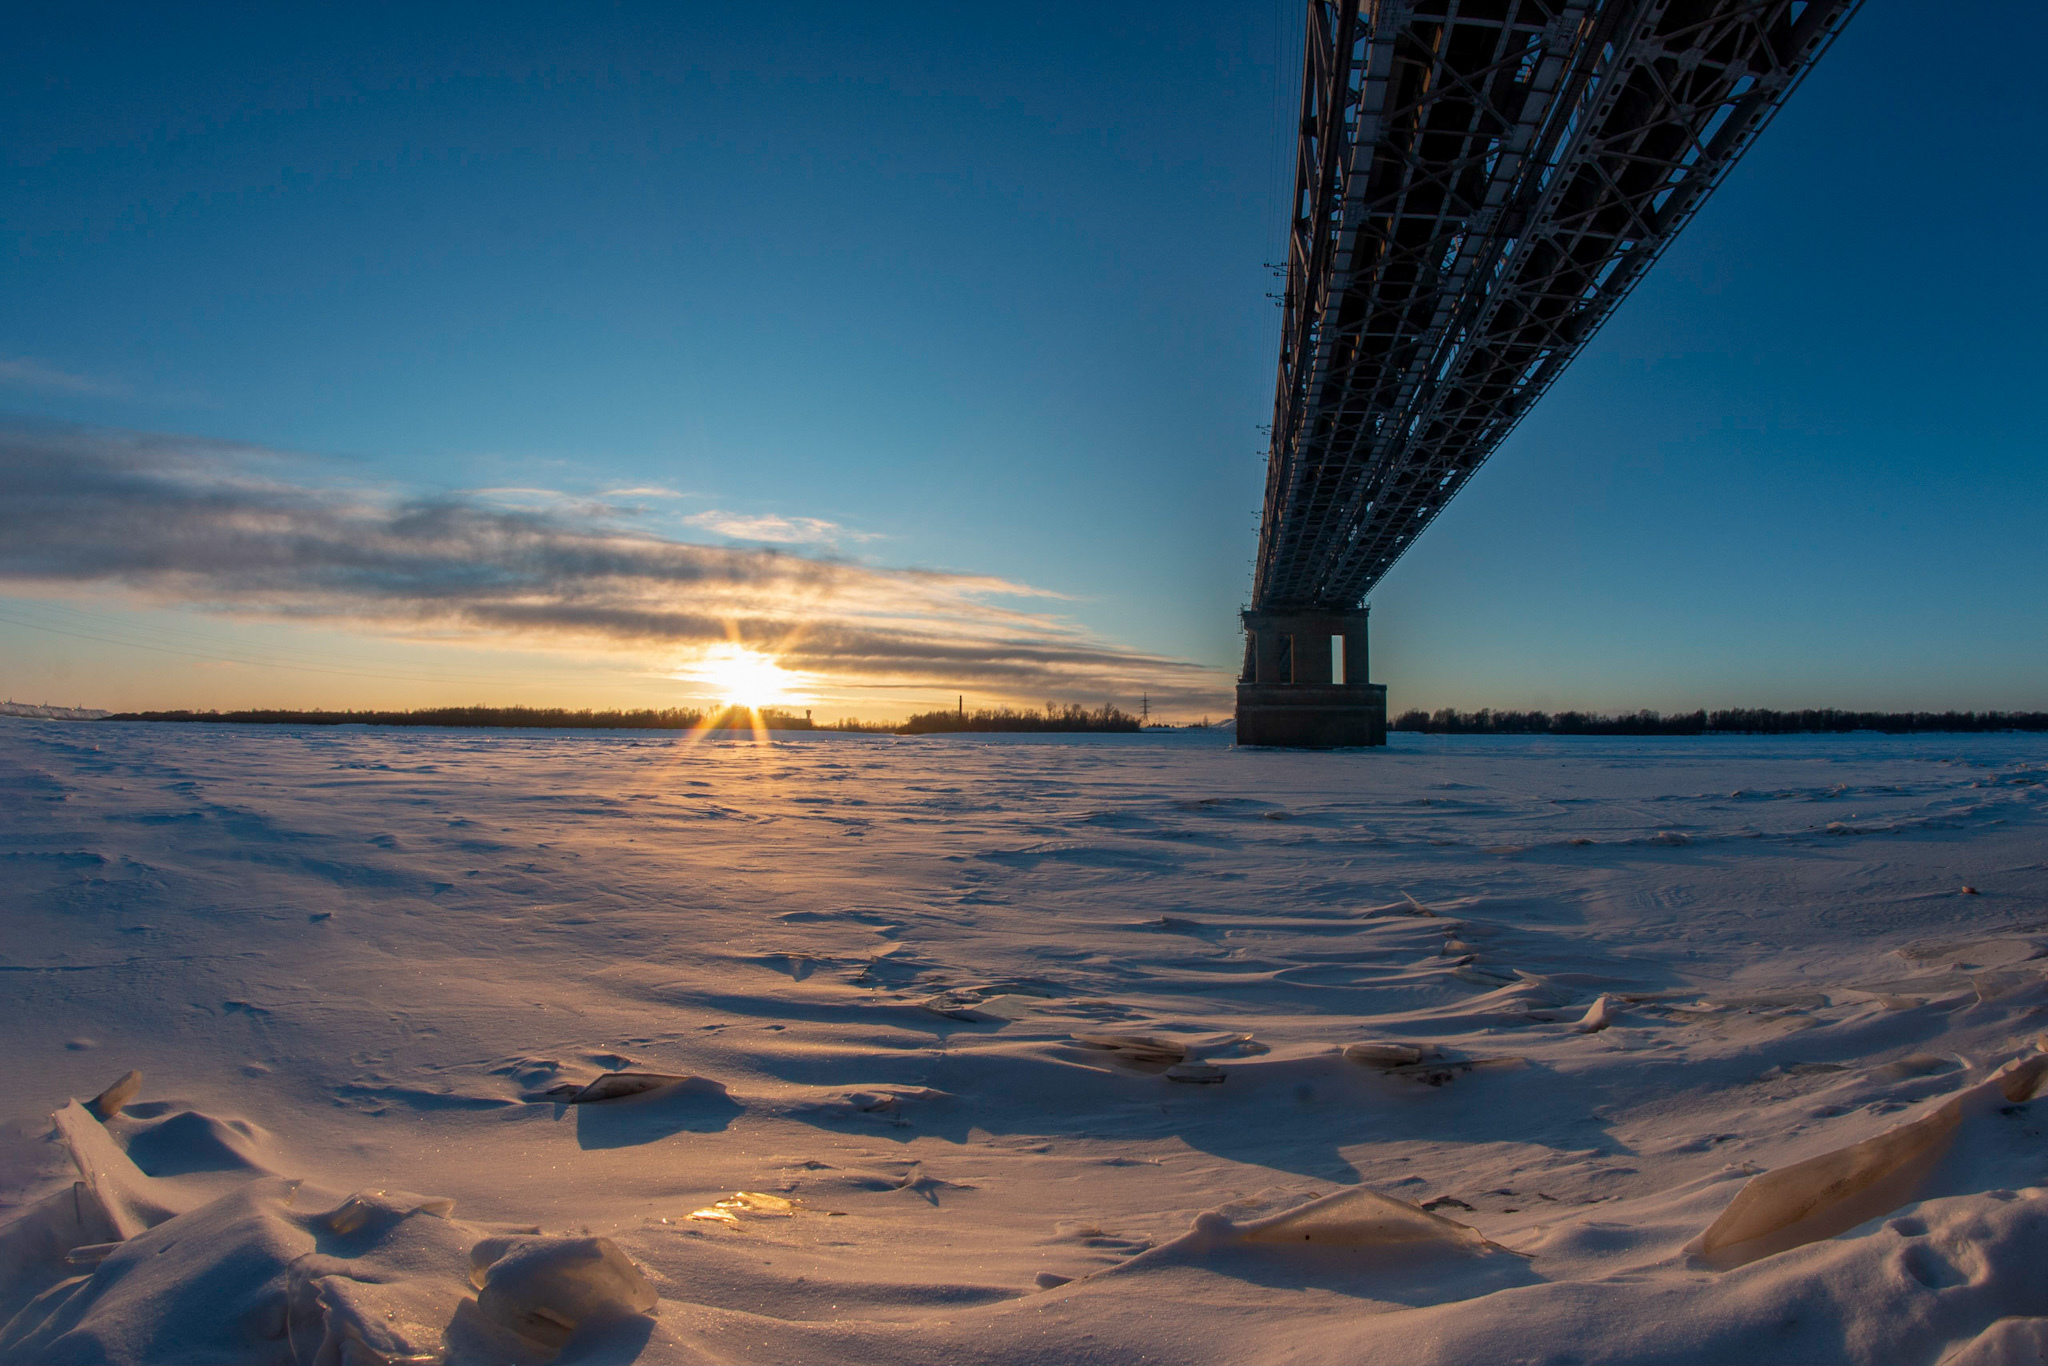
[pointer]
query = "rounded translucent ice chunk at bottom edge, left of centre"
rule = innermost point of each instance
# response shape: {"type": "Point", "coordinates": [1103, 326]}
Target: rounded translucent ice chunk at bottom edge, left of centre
{"type": "Point", "coordinates": [548, 1287]}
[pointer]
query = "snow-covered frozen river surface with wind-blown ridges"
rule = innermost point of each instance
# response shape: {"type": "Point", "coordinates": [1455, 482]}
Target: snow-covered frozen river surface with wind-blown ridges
{"type": "Point", "coordinates": [1017, 1050]}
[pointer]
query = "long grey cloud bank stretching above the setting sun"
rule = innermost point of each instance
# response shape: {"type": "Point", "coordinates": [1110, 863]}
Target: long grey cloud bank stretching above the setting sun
{"type": "Point", "coordinates": [239, 529]}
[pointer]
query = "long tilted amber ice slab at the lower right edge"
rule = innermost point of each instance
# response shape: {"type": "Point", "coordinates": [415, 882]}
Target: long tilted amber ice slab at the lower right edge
{"type": "Point", "coordinates": [1838, 1191]}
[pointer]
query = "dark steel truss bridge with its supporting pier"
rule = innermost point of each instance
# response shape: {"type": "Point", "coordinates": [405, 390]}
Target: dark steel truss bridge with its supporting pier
{"type": "Point", "coordinates": [1478, 185]}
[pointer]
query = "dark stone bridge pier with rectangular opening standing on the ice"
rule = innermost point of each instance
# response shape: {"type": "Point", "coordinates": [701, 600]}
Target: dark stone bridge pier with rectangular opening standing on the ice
{"type": "Point", "coordinates": [1306, 683]}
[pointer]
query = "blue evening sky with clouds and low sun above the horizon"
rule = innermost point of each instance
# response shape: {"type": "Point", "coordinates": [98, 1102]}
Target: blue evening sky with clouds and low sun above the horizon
{"type": "Point", "coordinates": [579, 355]}
